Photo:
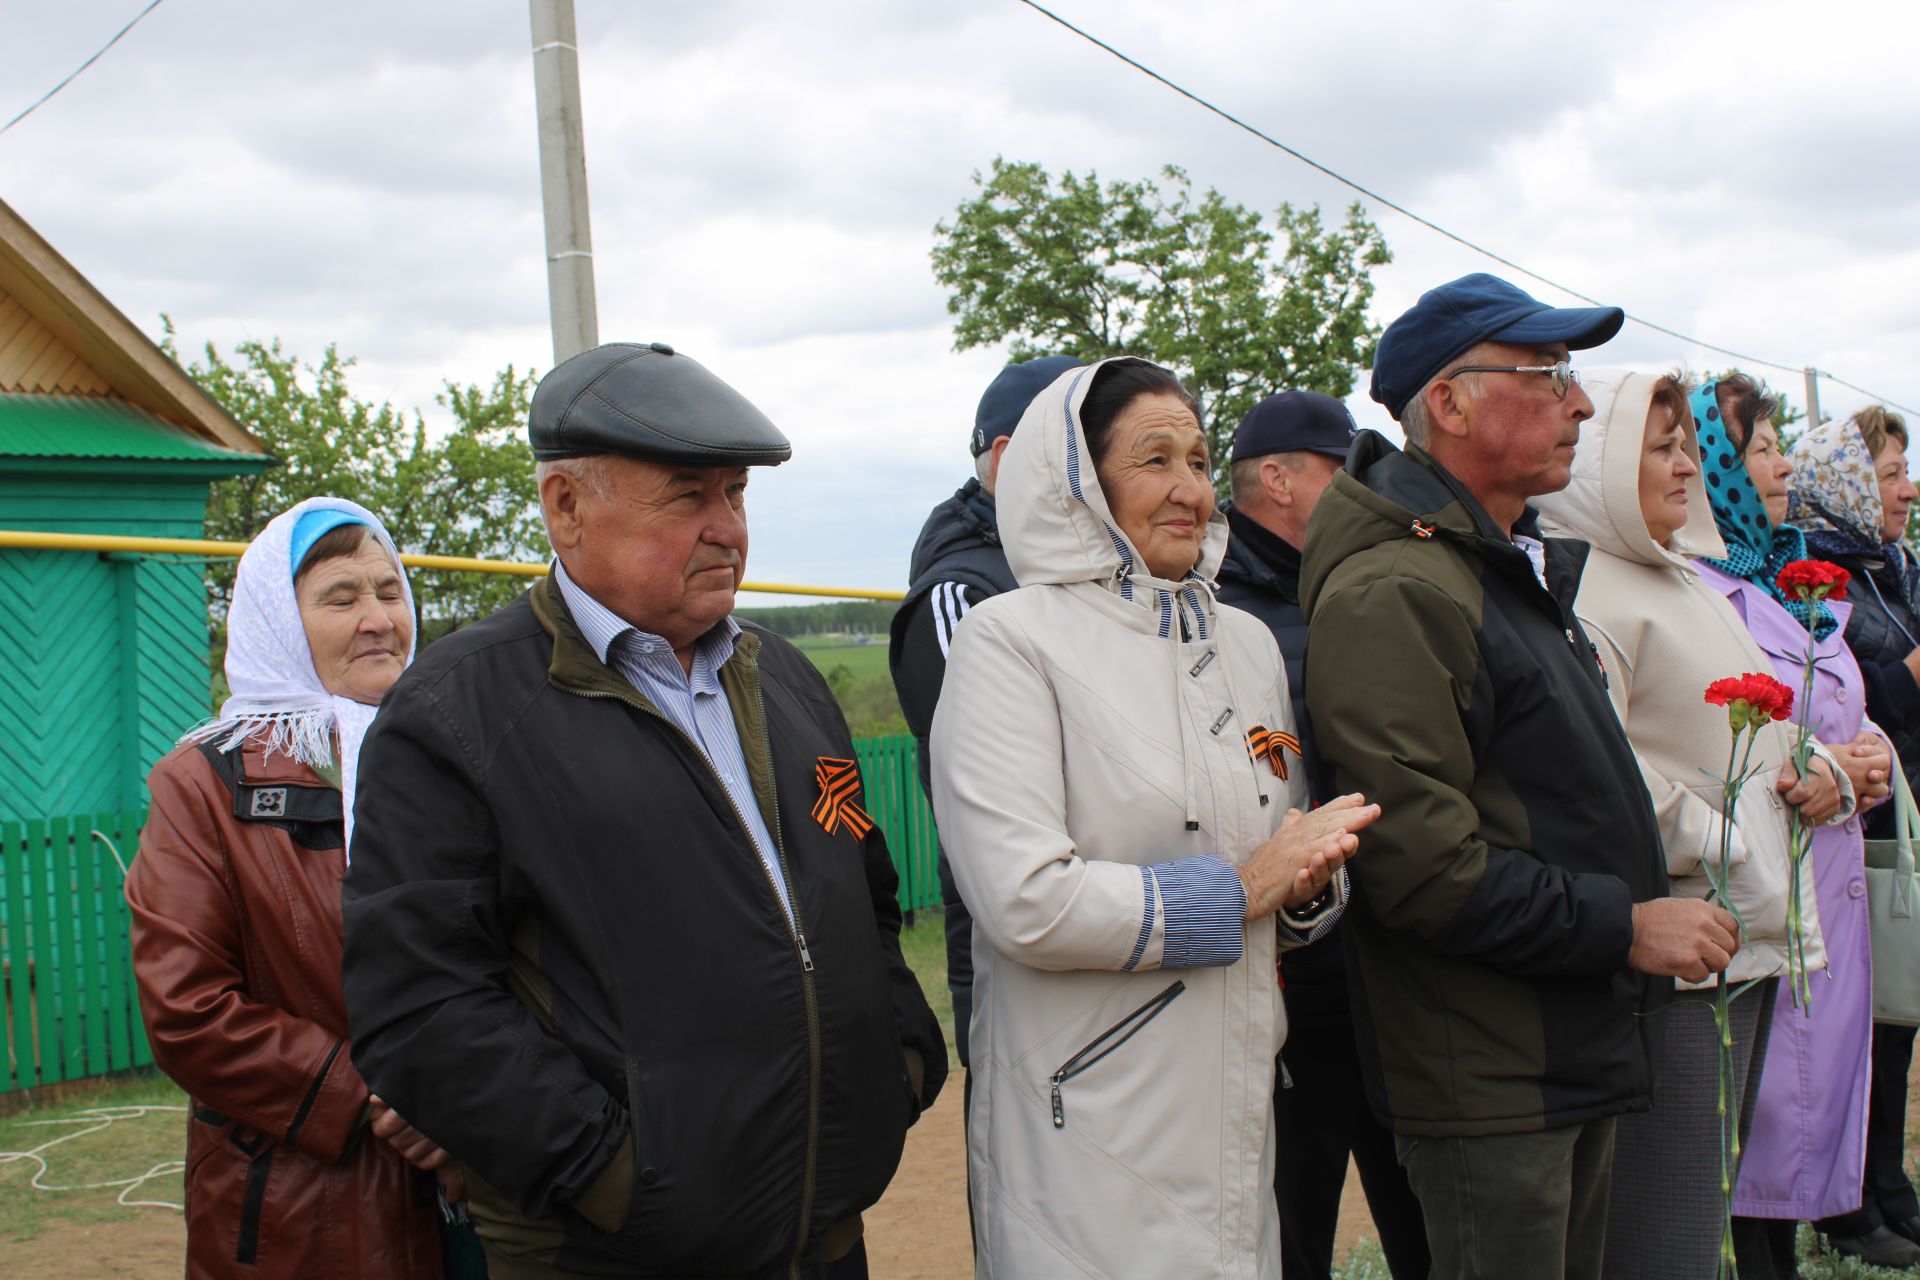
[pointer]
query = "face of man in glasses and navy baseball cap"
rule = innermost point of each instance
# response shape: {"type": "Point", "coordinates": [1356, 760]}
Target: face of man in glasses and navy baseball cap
{"type": "Point", "coordinates": [1522, 431]}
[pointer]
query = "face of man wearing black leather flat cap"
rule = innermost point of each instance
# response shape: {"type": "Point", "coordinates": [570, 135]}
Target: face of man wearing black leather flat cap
{"type": "Point", "coordinates": [665, 548]}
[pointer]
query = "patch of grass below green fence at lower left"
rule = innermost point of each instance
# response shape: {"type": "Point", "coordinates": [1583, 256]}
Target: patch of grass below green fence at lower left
{"type": "Point", "coordinates": [126, 1147]}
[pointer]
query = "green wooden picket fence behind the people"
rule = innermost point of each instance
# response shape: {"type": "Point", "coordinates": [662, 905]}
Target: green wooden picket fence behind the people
{"type": "Point", "coordinates": [66, 974]}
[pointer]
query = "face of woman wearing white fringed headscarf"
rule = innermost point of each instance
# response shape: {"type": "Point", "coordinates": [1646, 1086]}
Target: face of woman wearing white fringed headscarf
{"type": "Point", "coordinates": [358, 623]}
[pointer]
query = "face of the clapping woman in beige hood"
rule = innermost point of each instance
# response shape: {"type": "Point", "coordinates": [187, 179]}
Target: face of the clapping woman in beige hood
{"type": "Point", "coordinates": [1157, 483]}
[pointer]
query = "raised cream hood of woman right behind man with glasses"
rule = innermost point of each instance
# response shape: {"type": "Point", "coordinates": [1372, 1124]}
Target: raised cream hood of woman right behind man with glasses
{"type": "Point", "coordinates": [1600, 506]}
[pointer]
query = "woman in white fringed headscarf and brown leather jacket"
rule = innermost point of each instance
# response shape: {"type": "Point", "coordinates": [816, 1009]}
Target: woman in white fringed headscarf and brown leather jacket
{"type": "Point", "coordinates": [293, 1170]}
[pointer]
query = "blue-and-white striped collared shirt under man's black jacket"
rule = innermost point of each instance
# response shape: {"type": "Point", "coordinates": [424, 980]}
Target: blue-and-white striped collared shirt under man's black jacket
{"type": "Point", "coordinates": [696, 701]}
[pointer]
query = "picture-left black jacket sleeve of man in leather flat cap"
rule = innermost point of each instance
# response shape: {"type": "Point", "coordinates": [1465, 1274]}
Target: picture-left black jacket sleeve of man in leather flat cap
{"type": "Point", "coordinates": [437, 1031]}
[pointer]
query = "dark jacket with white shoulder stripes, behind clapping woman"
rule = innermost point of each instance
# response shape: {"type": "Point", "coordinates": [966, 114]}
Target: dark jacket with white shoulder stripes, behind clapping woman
{"type": "Point", "coordinates": [961, 546]}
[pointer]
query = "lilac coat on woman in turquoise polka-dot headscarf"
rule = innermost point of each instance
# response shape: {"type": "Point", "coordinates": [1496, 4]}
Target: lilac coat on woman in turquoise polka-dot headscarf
{"type": "Point", "coordinates": [1810, 1129]}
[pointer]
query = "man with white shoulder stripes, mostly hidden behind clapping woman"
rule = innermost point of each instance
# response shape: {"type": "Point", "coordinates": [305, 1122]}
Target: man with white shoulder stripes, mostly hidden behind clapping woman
{"type": "Point", "coordinates": [957, 565]}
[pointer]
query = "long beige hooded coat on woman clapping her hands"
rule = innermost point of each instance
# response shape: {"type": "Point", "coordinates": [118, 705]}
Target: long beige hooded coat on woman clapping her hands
{"type": "Point", "coordinates": [1093, 790]}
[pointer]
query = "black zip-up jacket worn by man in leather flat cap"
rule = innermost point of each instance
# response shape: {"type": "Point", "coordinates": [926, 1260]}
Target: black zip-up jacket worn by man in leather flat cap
{"type": "Point", "coordinates": [569, 966]}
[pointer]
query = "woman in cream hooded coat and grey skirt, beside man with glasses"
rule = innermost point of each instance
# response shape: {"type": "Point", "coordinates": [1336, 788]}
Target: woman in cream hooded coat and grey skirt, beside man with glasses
{"type": "Point", "coordinates": [1664, 636]}
